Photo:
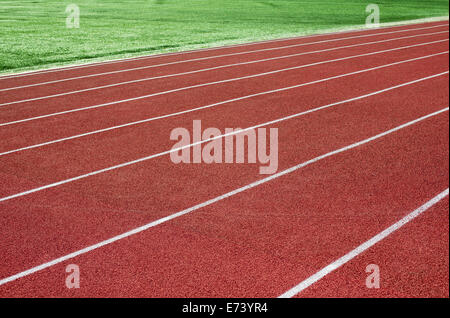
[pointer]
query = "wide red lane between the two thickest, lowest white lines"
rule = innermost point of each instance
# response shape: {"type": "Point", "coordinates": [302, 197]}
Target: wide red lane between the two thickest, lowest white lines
{"type": "Point", "coordinates": [260, 242]}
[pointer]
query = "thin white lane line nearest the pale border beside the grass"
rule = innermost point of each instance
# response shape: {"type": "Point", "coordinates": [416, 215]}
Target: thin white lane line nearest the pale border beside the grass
{"type": "Point", "coordinates": [213, 57]}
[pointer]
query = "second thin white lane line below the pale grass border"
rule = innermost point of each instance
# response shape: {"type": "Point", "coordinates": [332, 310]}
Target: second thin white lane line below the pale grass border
{"type": "Point", "coordinates": [192, 72]}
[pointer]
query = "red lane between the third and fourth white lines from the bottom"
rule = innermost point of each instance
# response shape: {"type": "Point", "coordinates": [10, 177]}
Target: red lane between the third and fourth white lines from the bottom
{"type": "Point", "coordinates": [67, 159]}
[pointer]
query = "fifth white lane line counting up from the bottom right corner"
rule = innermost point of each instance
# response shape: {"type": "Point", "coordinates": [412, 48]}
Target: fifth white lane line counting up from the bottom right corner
{"type": "Point", "coordinates": [208, 84]}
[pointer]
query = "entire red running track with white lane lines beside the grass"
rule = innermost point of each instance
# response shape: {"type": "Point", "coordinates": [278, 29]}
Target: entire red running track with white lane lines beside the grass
{"type": "Point", "coordinates": [363, 126]}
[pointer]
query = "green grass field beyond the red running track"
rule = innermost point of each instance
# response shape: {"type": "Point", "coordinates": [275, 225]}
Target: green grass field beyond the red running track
{"type": "Point", "coordinates": [33, 34]}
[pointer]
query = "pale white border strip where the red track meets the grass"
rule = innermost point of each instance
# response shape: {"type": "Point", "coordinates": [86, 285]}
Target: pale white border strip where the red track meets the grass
{"type": "Point", "coordinates": [351, 29]}
